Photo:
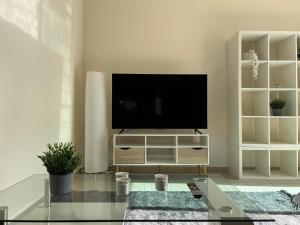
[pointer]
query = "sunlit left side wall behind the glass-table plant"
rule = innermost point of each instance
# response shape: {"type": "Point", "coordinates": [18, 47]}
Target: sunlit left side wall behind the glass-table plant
{"type": "Point", "coordinates": [40, 82]}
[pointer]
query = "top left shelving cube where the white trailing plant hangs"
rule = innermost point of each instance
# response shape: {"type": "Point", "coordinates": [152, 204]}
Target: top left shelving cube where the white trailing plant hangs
{"type": "Point", "coordinates": [257, 42]}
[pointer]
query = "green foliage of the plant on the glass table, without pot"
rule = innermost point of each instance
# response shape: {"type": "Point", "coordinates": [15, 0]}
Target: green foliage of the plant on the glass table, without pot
{"type": "Point", "coordinates": [61, 158]}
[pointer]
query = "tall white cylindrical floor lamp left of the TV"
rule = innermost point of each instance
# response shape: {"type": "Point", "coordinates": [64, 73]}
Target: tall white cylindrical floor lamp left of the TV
{"type": "Point", "coordinates": [96, 129]}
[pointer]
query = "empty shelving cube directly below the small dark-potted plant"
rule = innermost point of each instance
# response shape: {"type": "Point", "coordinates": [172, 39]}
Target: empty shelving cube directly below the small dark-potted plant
{"type": "Point", "coordinates": [283, 130]}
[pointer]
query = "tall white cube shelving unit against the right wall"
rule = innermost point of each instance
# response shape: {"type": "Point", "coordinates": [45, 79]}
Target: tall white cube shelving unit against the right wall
{"type": "Point", "coordinates": [262, 145]}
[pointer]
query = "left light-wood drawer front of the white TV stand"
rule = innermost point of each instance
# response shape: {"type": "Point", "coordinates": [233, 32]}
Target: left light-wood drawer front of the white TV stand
{"type": "Point", "coordinates": [130, 156]}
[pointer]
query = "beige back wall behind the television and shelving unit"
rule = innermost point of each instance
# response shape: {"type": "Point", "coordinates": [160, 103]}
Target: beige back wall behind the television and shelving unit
{"type": "Point", "coordinates": [176, 36]}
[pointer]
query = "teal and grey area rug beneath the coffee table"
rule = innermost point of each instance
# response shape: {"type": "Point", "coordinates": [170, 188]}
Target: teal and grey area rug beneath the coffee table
{"type": "Point", "coordinates": [278, 204]}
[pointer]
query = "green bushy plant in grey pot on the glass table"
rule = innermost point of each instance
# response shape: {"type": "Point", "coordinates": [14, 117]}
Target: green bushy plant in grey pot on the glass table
{"type": "Point", "coordinates": [60, 160]}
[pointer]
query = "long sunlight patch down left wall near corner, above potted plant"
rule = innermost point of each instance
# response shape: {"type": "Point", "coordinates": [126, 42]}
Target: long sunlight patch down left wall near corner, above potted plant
{"type": "Point", "coordinates": [55, 34]}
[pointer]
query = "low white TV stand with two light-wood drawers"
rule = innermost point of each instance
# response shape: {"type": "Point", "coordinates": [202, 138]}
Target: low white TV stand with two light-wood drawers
{"type": "Point", "coordinates": [134, 149]}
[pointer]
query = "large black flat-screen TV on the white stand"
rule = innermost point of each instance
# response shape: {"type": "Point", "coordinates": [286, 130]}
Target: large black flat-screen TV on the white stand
{"type": "Point", "coordinates": [144, 101]}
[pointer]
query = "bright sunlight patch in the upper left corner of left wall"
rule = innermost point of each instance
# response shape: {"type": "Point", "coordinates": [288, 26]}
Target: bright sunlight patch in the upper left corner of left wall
{"type": "Point", "coordinates": [21, 13]}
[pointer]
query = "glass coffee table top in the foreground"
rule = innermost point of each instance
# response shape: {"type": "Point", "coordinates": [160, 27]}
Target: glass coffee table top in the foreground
{"type": "Point", "coordinates": [94, 200]}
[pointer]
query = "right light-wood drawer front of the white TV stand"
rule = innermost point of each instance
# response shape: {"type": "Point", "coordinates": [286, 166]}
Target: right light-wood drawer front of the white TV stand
{"type": "Point", "coordinates": [193, 156]}
